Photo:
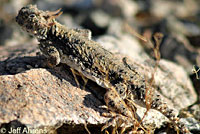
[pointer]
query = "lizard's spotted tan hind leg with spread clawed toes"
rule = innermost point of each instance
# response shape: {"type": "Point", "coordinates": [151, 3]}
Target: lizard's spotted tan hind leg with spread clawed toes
{"type": "Point", "coordinates": [121, 114]}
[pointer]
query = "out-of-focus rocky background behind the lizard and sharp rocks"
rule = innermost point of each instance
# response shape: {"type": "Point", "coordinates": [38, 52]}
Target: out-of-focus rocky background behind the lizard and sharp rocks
{"type": "Point", "coordinates": [178, 20]}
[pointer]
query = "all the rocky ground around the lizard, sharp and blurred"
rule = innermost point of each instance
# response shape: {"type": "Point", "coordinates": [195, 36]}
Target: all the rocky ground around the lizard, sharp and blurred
{"type": "Point", "coordinates": [42, 100]}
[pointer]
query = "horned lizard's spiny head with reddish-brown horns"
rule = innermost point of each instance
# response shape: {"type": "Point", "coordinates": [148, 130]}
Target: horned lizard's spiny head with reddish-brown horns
{"type": "Point", "coordinates": [35, 21]}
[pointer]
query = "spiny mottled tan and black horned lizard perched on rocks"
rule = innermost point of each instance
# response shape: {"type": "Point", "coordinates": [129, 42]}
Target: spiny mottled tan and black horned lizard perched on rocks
{"type": "Point", "coordinates": [89, 59]}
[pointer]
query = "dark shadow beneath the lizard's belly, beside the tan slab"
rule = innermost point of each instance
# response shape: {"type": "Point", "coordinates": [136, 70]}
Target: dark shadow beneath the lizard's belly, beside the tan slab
{"type": "Point", "coordinates": [94, 99]}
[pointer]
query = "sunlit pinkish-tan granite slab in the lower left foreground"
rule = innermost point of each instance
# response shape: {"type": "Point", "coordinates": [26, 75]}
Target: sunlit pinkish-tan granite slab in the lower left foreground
{"type": "Point", "coordinates": [38, 98]}
